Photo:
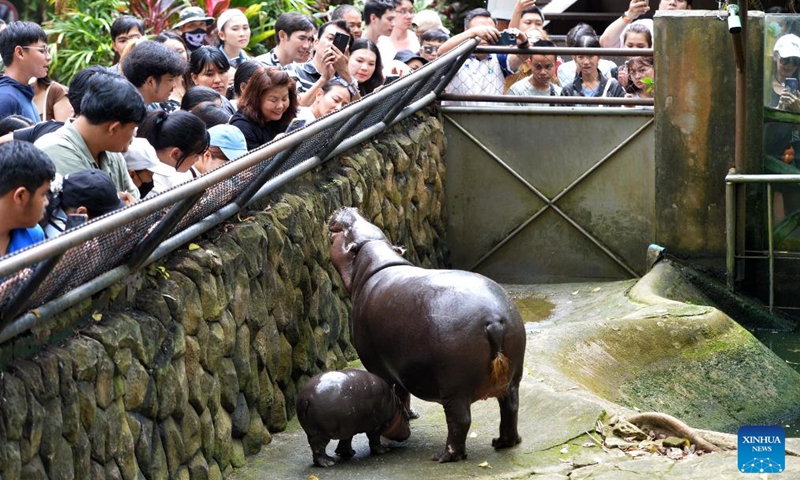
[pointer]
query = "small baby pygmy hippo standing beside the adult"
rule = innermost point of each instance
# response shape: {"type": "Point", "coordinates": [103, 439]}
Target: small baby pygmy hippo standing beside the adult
{"type": "Point", "coordinates": [339, 404]}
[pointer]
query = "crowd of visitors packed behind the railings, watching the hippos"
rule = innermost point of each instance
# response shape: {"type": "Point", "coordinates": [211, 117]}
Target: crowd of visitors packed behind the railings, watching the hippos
{"type": "Point", "coordinates": [174, 106]}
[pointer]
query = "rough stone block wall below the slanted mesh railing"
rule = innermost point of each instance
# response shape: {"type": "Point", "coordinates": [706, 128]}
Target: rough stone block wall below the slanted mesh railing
{"type": "Point", "coordinates": [184, 369]}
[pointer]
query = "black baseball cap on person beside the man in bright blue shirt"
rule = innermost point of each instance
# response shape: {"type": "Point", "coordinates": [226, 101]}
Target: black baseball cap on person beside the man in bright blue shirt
{"type": "Point", "coordinates": [91, 188]}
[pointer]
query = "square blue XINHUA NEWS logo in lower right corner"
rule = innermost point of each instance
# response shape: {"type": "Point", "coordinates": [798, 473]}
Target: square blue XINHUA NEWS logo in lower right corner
{"type": "Point", "coordinates": [762, 449]}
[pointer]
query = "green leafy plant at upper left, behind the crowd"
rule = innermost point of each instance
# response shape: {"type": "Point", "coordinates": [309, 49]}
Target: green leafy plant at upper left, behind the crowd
{"type": "Point", "coordinates": [80, 35]}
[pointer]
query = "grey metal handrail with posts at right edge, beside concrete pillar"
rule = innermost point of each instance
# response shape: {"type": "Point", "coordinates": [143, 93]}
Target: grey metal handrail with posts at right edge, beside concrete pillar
{"type": "Point", "coordinates": [731, 196]}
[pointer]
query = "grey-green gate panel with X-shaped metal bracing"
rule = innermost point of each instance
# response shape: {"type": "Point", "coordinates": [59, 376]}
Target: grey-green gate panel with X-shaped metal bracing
{"type": "Point", "coordinates": [535, 196]}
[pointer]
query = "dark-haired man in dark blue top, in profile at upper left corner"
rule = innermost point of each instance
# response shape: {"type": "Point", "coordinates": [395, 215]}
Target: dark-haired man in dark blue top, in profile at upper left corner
{"type": "Point", "coordinates": [23, 47]}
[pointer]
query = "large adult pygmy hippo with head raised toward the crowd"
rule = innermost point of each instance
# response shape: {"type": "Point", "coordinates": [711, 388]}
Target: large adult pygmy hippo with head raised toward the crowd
{"type": "Point", "coordinates": [447, 336]}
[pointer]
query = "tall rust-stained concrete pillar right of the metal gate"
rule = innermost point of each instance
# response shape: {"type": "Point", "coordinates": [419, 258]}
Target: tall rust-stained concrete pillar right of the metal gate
{"type": "Point", "coordinates": [695, 128]}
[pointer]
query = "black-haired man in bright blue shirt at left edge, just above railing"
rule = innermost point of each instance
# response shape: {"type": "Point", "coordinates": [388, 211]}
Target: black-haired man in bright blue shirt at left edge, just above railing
{"type": "Point", "coordinates": [25, 176]}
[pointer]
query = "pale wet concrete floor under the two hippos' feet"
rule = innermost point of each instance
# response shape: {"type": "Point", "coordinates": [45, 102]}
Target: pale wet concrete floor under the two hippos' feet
{"type": "Point", "coordinates": [556, 424]}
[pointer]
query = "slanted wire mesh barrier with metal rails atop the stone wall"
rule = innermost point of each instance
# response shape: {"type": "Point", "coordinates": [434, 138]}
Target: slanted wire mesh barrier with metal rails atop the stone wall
{"type": "Point", "coordinates": [49, 277]}
